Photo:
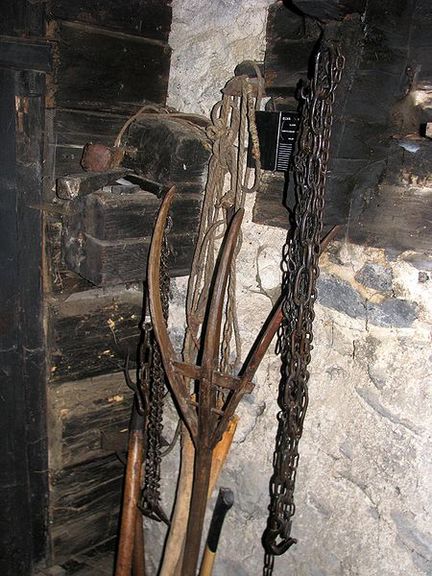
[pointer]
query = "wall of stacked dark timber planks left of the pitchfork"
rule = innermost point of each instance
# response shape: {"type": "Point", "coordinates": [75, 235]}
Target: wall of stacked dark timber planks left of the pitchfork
{"type": "Point", "coordinates": [108, 59]}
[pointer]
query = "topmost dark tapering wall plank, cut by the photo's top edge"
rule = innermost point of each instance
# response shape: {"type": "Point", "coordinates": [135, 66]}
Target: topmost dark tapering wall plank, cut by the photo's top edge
{"type": "Point", "coordinates": [150, 18]}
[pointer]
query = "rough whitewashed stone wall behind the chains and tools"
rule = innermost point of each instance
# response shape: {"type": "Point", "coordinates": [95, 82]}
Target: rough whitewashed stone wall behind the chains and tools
{"type": "Point", "coordinates": [364, 484]}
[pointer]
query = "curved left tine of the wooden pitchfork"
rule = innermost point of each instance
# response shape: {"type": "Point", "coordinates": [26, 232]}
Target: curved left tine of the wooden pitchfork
{"type": "Point", "coordinates": [180, 390]}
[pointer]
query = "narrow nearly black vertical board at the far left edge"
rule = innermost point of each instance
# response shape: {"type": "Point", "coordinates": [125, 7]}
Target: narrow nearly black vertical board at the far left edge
{"type": "Point", "coordinates": [15, 520]}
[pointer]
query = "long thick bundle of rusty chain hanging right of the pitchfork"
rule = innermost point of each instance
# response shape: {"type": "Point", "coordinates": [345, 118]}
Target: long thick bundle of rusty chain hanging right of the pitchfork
{"type": "Point", "coordinates": [300, 274]}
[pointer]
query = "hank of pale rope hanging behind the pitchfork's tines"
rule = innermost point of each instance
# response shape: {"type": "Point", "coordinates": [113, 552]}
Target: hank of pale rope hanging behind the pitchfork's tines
{"type": "Point", "coordinates": [232, 128]}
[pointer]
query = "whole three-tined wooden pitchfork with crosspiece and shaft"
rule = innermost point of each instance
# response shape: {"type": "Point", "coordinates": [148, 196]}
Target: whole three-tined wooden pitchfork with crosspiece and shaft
{"type": "Point", "coordinates": [204, 417]}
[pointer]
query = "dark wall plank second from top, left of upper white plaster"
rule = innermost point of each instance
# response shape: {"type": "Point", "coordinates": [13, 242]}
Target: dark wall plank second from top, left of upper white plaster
{"type": "Point", "coordinates": [100, 70]}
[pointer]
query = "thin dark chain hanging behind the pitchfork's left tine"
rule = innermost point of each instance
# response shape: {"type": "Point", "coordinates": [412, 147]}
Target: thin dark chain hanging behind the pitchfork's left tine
{"type": "Point", "coordinates": [151, 361]}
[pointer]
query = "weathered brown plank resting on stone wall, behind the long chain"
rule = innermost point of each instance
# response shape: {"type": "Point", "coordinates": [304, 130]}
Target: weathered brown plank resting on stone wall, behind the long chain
{"type": "Point", "coordinates": [388, 215]}
